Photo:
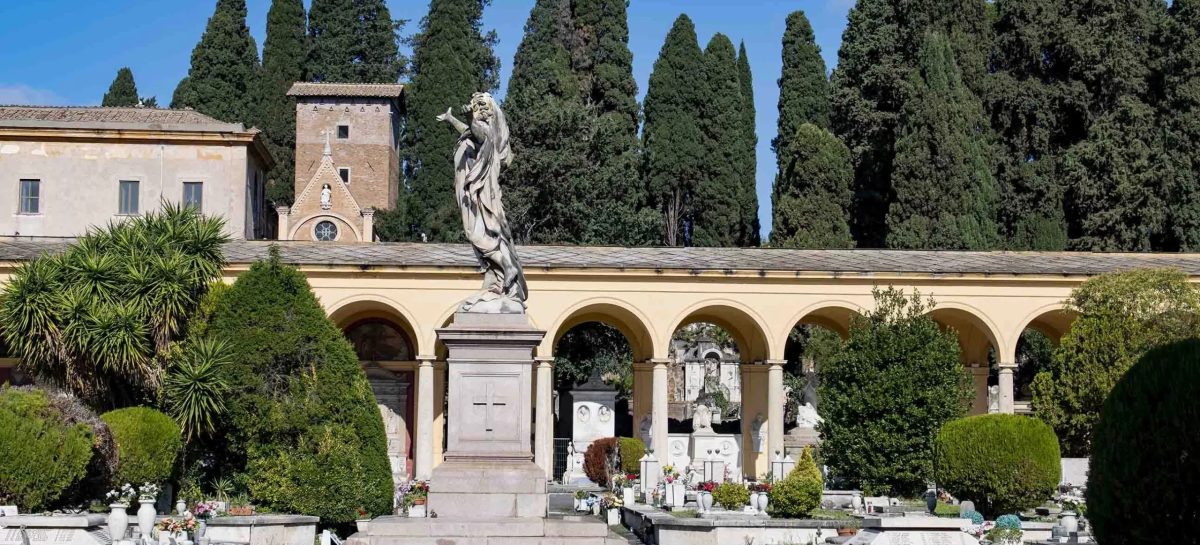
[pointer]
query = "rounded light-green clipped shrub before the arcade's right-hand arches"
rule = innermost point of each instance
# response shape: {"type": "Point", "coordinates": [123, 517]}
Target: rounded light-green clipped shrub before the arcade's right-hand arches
{"type": "Point", "coordinates": [1003, 463]}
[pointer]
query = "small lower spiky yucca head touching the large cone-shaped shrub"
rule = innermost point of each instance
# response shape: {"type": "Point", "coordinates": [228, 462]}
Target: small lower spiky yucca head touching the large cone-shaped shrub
{"type": "Point", "coordinates": [195, 391]}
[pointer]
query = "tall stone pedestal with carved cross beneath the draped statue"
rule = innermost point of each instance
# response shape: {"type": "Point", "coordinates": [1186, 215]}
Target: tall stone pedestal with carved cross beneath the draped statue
{"type": "Point", "coordinates": [489, 471]}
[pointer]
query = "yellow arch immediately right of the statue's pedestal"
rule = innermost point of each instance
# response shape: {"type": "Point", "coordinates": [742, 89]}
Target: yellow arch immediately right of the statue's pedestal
{"type": "Point", "coordinates": [629, 321]}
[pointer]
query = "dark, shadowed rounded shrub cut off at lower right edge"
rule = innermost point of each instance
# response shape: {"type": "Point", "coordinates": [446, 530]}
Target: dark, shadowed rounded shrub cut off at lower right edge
{"type": "Point", "coordinates": [1144, 475]}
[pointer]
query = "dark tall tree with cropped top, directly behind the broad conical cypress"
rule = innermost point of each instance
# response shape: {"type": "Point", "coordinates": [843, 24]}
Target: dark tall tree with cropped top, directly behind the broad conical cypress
{"type": "Point", "coordinates": [880, 47]}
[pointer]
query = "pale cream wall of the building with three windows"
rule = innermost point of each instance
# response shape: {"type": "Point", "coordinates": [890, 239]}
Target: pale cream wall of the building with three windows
{"type": "Point", "coordinates": [80, 183]}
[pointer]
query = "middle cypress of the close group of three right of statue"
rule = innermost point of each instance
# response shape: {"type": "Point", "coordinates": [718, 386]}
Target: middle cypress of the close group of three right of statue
{"type": "Point", "coordinates": [717, 220]}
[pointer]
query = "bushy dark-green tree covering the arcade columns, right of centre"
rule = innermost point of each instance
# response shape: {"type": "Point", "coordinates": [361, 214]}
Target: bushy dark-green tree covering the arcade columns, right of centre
{"type": "Point", "coordinates": [896, 381]}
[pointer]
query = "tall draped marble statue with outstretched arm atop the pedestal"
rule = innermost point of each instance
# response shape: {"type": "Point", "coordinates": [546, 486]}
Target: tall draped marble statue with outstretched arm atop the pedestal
{"type": "Point", "coordinates": [482, 152]}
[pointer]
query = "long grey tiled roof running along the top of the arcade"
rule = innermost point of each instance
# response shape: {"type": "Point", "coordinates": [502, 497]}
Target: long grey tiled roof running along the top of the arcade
{"type": "Point", "coordinates": [676, 259]}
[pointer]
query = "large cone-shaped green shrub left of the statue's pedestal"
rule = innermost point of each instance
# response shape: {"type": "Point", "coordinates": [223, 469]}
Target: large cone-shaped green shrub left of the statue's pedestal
{"type": "Point", "coordinates": [303, 432]}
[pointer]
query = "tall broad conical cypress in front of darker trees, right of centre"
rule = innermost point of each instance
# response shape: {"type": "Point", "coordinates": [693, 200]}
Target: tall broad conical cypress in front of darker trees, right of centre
{"type": "Point", "coordinates": [946, 196]}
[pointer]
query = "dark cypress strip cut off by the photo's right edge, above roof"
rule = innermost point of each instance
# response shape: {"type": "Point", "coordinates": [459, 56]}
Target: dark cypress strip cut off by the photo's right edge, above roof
{"type": "Point", "coordinates": [1180, 112]}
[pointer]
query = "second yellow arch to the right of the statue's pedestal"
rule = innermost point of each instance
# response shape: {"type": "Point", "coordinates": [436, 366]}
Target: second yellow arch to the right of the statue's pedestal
{"type": "Point", "coordinates": [747, 328]}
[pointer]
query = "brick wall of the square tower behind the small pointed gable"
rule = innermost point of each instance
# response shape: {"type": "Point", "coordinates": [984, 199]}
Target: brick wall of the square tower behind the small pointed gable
{"type": "Point", "coordinates": [371, 152]}
